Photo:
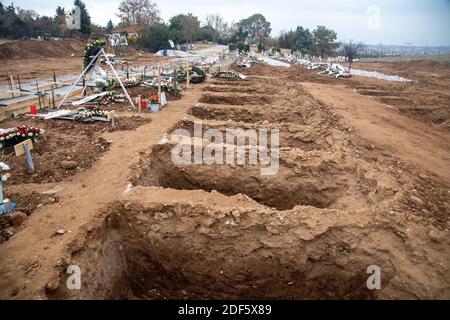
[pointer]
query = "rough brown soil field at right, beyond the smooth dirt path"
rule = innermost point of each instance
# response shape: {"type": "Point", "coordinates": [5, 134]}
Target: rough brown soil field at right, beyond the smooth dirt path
{"type": "Point", "coordinates": [427, 99]}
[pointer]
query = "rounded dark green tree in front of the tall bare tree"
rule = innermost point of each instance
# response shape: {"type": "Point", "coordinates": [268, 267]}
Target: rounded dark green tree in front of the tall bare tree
{"type": "Point", "coordinates": [155, 37]}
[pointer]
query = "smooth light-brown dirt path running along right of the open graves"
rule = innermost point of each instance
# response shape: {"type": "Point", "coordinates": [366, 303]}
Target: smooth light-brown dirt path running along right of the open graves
{"type": "Point", "coordinates": [411, 140]}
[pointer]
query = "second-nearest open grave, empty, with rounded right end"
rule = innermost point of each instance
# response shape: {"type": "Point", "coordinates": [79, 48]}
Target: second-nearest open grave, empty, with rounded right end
{"type": "Point", "coordinates": [316, 179]}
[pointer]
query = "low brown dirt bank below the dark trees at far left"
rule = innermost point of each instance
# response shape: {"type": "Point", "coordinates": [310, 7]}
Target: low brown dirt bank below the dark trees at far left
{"type": "Point", "coordinates": [31, 49]}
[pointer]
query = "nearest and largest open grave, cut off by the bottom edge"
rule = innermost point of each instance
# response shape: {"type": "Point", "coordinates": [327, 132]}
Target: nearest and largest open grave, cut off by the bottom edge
{"type": "Point", "coordinates": [188, 250]}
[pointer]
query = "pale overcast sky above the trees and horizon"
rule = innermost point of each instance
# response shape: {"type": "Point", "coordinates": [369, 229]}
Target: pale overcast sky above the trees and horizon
{"type": "Point", "coordinates": [417, 22]}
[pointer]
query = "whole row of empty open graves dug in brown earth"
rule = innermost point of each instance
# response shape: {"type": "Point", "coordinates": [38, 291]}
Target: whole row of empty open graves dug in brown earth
{"type": "Point", "coordinates": [216, 231]}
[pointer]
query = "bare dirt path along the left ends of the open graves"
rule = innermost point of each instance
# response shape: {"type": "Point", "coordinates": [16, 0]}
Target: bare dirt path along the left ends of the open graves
{"type": "Point", "coordinates": [28, 261]}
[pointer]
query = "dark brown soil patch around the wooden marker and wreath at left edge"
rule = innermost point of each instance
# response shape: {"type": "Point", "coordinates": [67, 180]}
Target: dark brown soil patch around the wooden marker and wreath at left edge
{"type": "Point", "coordinates": [66, 148]}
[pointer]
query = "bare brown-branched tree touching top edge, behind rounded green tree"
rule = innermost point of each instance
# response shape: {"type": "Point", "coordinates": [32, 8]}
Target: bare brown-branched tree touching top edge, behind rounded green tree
{"type": "Point", "coordinates": [138, 12]}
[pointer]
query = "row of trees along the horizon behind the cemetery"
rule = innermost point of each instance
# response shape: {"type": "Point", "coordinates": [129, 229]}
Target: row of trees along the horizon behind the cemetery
{"type": "Point", "coordinates": [144, 16]}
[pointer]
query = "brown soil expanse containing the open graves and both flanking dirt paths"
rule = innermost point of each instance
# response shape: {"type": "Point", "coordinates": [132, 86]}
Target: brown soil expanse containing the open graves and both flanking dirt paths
{"type": "Point", "coordinates": [356, 186]}
